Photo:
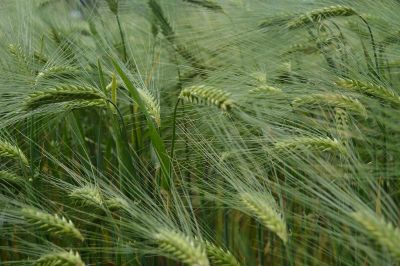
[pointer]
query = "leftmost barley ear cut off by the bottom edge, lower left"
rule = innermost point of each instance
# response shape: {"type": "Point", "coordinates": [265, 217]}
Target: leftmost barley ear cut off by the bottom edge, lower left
{"type": "Point", "coordinates": [62, 258]}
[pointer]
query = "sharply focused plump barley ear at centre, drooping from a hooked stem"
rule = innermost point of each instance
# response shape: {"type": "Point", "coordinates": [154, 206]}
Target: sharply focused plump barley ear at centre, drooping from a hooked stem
{"type": "Point", "coordinates": [207, 95]}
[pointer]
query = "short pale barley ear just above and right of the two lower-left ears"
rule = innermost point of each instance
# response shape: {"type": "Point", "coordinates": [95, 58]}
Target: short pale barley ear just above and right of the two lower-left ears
{"type": "Point", "coordinates": [87, 196]}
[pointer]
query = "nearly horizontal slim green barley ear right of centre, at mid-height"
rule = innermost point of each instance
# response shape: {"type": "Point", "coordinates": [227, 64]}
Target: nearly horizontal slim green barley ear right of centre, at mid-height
{"type": "Point", "coordinates": [310, 144]}
